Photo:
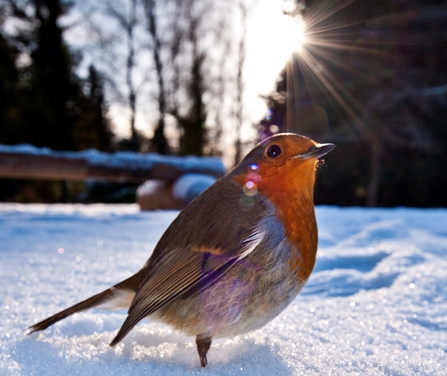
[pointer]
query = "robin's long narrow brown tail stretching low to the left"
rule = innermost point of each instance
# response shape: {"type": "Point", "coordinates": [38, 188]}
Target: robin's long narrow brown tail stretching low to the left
{"type": "Point", "coordinates": [129, 285]}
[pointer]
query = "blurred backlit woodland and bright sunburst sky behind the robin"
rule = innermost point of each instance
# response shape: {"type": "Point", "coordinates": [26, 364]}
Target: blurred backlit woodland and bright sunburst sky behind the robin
{"type": "Point", "coordinates": [213, 78]}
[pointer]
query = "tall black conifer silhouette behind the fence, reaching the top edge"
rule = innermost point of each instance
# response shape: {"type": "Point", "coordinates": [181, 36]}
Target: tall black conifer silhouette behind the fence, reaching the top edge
{"type": "Point", "coordinates": [52, 83]}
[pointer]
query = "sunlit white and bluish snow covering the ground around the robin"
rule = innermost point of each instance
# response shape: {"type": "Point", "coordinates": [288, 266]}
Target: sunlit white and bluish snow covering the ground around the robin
{"type": "Point", "coordinates": [376, 303]}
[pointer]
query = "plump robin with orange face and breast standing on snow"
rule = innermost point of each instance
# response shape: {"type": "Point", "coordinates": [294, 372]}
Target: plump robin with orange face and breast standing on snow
{"type": "Point", "coordinates": [235, 257]}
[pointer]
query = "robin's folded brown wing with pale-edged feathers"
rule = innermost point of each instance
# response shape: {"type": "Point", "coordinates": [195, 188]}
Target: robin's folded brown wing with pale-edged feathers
{"type": "Point", "coordinates": [201, 245]}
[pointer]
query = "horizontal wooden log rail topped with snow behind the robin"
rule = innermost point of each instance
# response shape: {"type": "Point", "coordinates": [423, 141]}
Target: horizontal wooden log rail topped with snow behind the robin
{"type": "Point", "coordinates": [30, 162]}
